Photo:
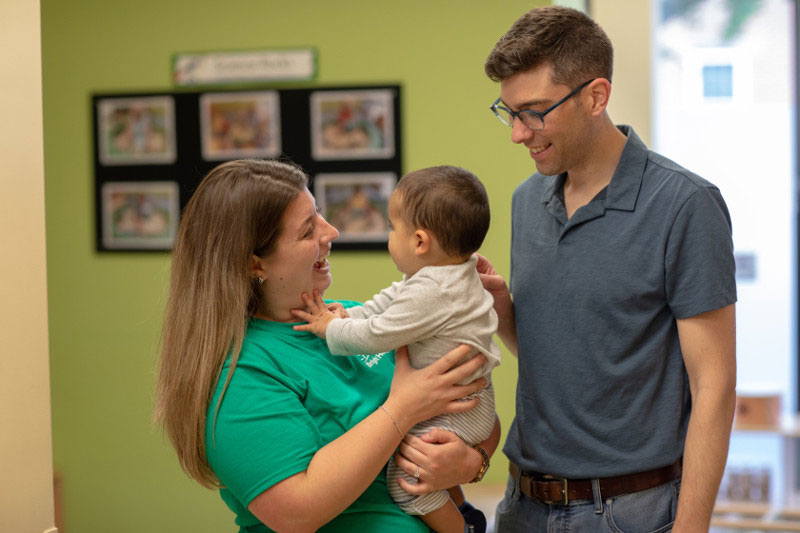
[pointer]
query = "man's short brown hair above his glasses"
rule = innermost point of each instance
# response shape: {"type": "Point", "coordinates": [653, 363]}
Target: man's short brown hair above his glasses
{"type": "Point", "coordinates": [576, 47]}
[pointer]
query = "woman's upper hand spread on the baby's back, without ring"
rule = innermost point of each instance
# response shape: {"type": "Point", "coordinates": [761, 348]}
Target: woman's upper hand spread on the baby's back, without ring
{"type": "Point", "coordinates": [418, 395]}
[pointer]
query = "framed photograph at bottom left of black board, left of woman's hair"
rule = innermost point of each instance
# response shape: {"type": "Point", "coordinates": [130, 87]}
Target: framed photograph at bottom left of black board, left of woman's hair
{"type": "Point", "coordinates": [140, 215]}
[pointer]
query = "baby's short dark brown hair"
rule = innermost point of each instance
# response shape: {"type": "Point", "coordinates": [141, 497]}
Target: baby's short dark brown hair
{"type": "Point", "coordinates": [448, 201]}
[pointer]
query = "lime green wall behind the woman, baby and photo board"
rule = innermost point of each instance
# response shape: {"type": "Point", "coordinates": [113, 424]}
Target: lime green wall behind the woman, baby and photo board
{"type": "Point", "coordinates": [118, 472]}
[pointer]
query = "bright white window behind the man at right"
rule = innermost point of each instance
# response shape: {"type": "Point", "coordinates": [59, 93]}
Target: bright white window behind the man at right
{"type": "Point", "coordinates": [718, 66]}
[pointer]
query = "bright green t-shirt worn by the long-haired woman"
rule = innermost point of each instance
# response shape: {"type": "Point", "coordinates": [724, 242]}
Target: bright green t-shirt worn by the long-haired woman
{"type": "Point", "coordinates": [288, 398]}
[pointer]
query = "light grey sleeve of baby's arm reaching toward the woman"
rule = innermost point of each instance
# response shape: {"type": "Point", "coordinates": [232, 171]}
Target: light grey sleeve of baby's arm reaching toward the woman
{"type": "Point", "coordinates": [410, 315]}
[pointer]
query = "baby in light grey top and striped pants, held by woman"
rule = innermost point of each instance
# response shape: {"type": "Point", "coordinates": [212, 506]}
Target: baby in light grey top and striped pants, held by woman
{"type": "Point", "coordinates": [439, 217]}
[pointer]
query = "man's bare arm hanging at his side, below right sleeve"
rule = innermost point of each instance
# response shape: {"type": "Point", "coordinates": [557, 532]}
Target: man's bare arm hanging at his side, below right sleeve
{"type": "Point", "coordinates": [708, 343]}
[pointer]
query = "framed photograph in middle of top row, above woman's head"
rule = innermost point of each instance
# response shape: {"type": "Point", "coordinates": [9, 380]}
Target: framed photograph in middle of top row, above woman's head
{"type": "Point", "coordinates": [237, 125]}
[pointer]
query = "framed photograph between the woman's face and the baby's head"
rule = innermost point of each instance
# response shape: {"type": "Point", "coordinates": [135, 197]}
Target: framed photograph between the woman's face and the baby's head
{"type": "Point", "coordinates": [357, 204]}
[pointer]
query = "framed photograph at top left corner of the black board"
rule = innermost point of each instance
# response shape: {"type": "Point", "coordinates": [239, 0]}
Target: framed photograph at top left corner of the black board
{"type": "Point", "coordinates": [136, 131]}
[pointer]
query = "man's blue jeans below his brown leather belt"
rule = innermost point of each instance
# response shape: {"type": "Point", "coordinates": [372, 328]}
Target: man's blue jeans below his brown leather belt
{"type": "Point", "coordinates": [647, 511]}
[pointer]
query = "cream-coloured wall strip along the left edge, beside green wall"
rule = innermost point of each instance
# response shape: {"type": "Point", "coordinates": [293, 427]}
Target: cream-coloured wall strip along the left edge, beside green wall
{"type": "Point", "coordinates": [26, 504]}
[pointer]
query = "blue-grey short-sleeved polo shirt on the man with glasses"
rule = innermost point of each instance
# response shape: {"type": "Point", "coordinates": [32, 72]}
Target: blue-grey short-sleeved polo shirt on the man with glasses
{"type": "Point", "coordinates": [602, 388]}
